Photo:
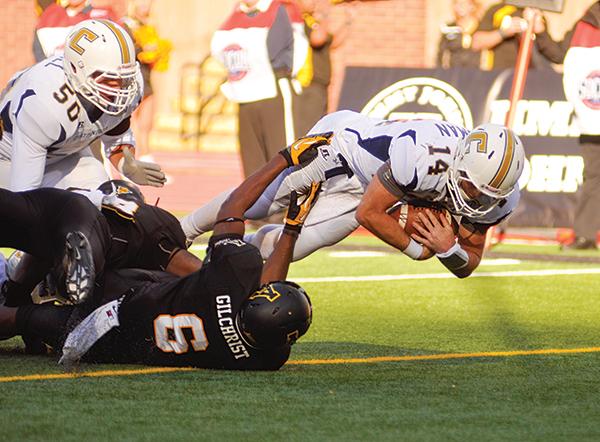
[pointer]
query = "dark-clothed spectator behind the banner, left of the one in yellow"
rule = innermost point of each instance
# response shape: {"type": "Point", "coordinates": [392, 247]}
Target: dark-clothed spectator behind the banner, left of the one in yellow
{"type": "Point", "coordinates": [455, 44]}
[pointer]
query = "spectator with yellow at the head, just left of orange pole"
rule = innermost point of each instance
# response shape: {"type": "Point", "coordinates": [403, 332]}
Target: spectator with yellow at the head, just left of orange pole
{"type": "Point", "coordinates": [498, 36]}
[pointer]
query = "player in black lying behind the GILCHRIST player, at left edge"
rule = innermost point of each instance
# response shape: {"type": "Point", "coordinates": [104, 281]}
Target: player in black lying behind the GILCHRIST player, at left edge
{"type": "Point", "coordinates": [133, 235]}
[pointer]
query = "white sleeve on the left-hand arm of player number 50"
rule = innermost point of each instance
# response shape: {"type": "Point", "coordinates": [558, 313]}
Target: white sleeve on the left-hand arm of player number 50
{"type": "Point", "coordinates": [32, 135]}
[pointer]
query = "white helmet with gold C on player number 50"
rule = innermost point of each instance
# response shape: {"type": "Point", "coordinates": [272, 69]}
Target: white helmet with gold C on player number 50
{"type": "Point", "coordinates": [98, 53]}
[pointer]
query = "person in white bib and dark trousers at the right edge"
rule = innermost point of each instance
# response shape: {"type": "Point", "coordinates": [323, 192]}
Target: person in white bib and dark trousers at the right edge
{"type": "Point", "coordinates": [579, 51]}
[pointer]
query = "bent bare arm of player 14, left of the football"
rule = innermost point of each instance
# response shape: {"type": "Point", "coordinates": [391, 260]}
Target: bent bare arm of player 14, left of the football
{"type": "Point", "coordinates": [382, 194]}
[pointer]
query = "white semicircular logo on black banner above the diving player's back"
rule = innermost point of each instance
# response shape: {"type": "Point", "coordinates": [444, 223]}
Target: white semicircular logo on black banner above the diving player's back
{"type": "Point", "coordinates": [420, 98]}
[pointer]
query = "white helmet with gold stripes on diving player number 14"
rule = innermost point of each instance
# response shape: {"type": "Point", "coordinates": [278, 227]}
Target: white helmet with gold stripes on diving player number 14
{"type": "Point", "coordinates": [486, 169]}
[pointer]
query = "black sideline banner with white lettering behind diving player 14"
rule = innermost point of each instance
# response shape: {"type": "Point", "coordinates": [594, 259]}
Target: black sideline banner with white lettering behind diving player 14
{"type": "Point", "coordinates": [544, 120]}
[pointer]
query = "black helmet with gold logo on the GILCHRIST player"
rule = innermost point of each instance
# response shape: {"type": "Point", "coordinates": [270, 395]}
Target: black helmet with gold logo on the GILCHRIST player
{"type": "Point", "coordinates": [275, 315]}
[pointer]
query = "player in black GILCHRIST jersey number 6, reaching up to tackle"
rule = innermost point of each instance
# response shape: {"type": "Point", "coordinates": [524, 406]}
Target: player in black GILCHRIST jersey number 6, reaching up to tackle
{"type": "Point", "coordinates": [233, 313]}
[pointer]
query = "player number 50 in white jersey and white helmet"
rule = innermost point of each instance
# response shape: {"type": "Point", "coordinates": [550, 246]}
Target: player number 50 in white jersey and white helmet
{"type": "Point", "coordinates": [51, 112]}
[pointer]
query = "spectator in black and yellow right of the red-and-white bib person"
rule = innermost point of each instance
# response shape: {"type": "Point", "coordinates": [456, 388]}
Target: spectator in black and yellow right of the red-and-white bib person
{"type": "Point", "coordinates": [315, 75]}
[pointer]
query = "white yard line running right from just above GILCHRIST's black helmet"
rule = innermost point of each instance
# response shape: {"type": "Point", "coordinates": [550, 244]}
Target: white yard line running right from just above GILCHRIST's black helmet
{"type": "Point", "coordinates": [521, 273]}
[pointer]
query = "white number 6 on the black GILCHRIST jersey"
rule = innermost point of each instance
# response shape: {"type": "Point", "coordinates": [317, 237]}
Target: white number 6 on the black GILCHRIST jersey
{"type": "Point", "coordinates": [170, 337]}
